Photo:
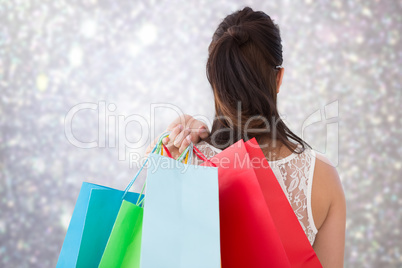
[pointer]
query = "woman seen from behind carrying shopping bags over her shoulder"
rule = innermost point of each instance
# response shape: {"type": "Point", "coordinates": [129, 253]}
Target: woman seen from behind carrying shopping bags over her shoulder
{"type": "Point", "coordinates": [245, 72]}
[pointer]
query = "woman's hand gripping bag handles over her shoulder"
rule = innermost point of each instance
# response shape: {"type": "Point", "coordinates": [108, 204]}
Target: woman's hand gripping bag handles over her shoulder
{"type": "Point", "coordinates": [183, 130]}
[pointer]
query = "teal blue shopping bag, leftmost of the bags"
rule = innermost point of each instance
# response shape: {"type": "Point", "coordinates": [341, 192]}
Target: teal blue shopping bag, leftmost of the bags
{"type": "Point", "coordinates": [90, 226]}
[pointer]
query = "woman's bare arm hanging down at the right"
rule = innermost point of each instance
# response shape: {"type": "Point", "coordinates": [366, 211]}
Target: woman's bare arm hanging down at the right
{"type": "Point", "coordinates": [329, 213]}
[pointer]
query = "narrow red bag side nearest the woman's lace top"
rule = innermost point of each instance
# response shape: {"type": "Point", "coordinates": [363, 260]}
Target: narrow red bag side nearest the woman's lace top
{"type": "Point", "coordinates": [298, 249]}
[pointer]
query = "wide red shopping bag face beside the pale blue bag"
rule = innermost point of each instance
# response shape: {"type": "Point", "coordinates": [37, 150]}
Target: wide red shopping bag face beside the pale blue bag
{"type": "Point", "coordinates": [248, 234]}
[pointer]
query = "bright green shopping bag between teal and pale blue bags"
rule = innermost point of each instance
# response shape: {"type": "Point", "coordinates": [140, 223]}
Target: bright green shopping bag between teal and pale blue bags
{"type": "Point", "coordinates": [124, 246]}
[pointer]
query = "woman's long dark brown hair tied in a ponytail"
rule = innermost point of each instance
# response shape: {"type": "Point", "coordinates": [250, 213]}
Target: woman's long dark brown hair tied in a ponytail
{"type": "Point", "coordinates": [242, 70]}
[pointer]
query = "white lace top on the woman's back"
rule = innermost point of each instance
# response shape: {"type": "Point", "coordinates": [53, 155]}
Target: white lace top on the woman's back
{"type": "Point", "coordinates": [295, 175]}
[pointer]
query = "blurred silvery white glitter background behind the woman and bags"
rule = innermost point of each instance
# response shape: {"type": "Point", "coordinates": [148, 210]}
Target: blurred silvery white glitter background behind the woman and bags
{"type": "Point", "coordinates": [342, 80]}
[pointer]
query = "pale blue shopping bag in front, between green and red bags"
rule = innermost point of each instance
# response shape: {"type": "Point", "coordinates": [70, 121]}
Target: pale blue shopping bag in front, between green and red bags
{"type": "Point", "coordinates": [181, 215]}
